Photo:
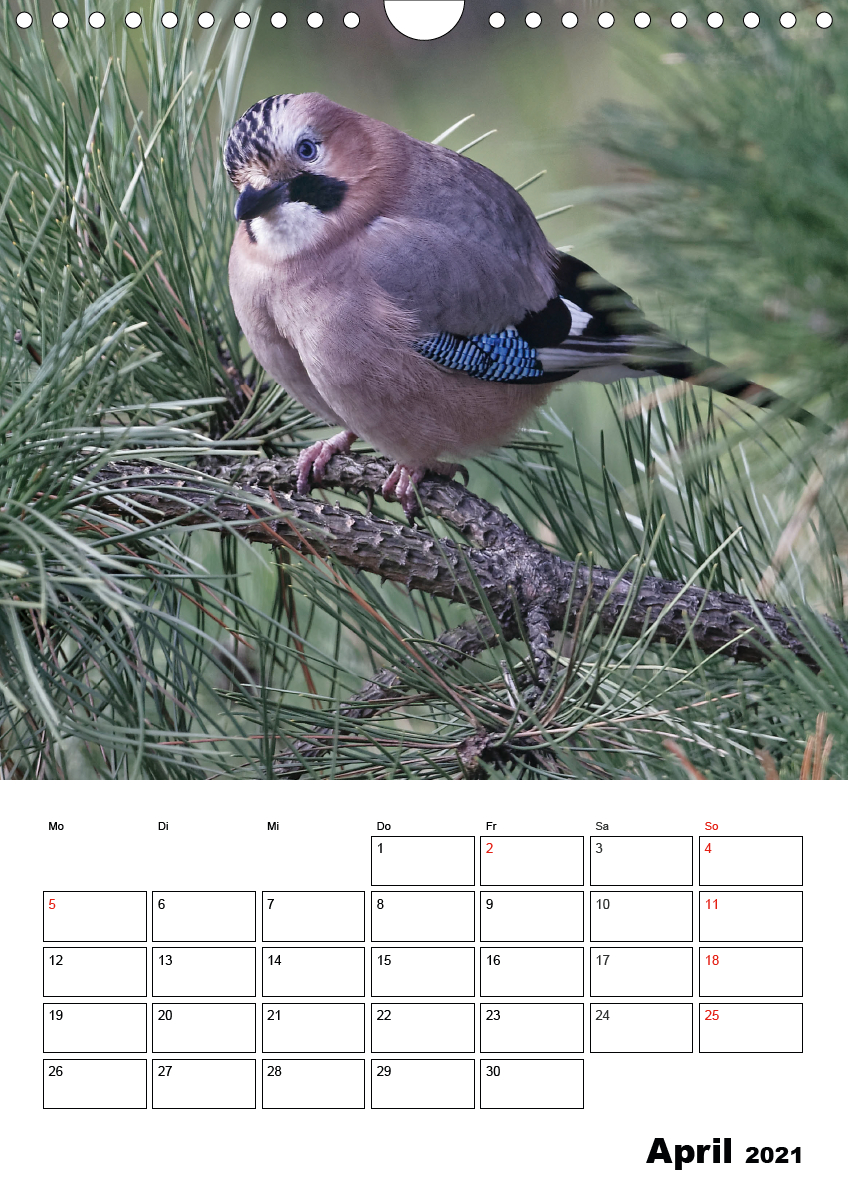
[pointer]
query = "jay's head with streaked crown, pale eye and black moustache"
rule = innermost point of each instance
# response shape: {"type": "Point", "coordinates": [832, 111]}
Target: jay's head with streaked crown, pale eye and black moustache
{"type": "Point", "coordinates": [305, 171]}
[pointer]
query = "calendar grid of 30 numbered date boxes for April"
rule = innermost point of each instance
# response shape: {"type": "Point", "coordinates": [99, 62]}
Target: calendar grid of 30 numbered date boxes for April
{"type": "Point", "coordinates": [459, 981]}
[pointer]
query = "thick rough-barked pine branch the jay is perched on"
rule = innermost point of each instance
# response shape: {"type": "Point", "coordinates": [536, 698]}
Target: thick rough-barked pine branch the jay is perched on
{"type": "Point", "coordinates": [504, 568]}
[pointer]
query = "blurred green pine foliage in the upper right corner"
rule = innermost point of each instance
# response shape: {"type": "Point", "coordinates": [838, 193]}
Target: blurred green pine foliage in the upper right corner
{"type": "Point", "coordinates": [736, 203]}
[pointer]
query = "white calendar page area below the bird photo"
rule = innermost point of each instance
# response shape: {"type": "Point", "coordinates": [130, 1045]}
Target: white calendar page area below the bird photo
{"type": "Point", "coordinates": [484, 899]}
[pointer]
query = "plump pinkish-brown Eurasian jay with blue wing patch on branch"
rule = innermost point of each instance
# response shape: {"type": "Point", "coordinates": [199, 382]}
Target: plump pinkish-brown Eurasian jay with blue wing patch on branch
{"type": "Point", "coordinates": [410, 296]}
